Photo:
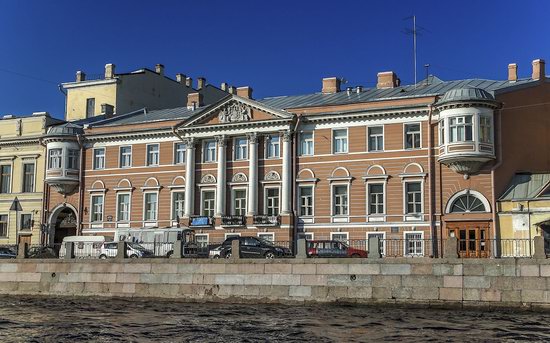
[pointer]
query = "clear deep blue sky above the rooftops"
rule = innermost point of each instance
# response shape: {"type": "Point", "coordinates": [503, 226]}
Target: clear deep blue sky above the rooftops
{"type": "Point", "coordinates": [276, 47]}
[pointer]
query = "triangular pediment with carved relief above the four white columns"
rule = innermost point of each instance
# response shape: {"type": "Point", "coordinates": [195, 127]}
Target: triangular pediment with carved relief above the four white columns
{"type": "Point", "coordinates": [236, 109]}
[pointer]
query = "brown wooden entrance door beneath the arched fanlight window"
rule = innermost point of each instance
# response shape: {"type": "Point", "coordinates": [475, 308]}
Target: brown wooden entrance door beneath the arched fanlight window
{"type": "Point", "coordinates": [473, 239]}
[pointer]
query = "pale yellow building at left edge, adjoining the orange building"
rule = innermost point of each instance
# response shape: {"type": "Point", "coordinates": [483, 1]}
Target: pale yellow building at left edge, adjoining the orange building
{"type": "Point", "coordinates": [22, 159]}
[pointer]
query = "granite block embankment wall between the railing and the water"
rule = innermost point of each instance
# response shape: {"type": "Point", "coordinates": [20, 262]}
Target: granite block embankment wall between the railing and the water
{"type": "Point", "coordinates": [468, 282]}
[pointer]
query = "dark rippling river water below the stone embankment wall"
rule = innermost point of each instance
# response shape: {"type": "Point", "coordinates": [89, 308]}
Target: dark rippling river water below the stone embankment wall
{"type": "Point", "coordinates": [26, 319]}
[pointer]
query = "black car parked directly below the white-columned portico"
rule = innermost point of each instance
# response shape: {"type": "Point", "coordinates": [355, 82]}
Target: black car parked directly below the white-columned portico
{"type": "Point", "coordinates": [254, 247]}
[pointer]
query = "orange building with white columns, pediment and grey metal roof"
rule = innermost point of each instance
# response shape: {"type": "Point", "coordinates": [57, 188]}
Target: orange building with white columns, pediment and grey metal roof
{"type": "Point", "coordinates": [414, 164]}
